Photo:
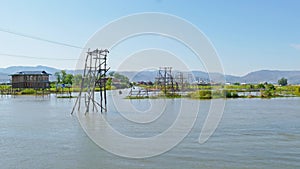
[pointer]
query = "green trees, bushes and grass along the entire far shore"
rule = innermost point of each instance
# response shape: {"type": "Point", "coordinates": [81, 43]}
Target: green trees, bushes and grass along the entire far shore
{"type": "Point", "coordinates": [117, 81]}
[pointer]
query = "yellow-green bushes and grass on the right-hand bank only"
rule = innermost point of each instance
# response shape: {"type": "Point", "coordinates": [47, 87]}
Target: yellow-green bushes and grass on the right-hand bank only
{"type": "Point", "coordinates": [236, 90]}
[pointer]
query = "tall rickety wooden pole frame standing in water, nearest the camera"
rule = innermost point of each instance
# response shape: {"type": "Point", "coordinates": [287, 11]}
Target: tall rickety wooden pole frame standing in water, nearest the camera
{"type": "Point", "coordinates": [94, 76]}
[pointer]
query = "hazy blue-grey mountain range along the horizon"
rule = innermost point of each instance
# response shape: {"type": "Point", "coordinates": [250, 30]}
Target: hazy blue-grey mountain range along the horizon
{"type": "Point", "coordinates": [270, 76]}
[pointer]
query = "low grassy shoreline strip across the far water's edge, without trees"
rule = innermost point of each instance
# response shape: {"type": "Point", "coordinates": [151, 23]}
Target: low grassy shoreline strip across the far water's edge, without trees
{"type": "Point", "coordinates": [201, 92]}
